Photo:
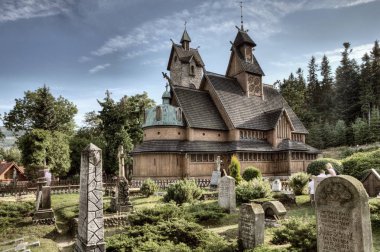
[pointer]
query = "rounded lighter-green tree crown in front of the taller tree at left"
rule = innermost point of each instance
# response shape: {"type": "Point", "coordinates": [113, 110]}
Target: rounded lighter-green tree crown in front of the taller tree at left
{"type": "Point", "coordinates": [42, 148]}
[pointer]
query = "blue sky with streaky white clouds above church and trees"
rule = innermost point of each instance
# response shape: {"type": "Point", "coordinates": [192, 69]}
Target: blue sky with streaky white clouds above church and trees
{"type": "Point", "coordinates": [81, 48]}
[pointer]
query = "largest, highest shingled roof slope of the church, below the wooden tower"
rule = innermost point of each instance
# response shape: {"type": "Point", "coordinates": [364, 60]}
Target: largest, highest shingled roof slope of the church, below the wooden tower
{"type": "Point", "coordinates": [252, 112]}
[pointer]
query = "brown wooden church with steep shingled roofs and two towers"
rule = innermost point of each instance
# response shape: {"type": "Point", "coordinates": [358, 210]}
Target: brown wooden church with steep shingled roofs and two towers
{"type": "Point", "coordinates": [204, 115]}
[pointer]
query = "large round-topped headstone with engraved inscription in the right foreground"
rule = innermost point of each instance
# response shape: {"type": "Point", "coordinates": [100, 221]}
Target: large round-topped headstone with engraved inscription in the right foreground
{"type": "Point", "coordinates": [343, 218]}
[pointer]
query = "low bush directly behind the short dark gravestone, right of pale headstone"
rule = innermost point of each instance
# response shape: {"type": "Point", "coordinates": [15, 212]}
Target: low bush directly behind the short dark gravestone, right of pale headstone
{"type": "Point", "coordinates": [254, 189]}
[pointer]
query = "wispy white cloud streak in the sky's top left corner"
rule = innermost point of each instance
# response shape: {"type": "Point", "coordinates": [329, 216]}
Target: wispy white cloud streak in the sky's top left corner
{"type": "Point", "coordinates": [12, 10]}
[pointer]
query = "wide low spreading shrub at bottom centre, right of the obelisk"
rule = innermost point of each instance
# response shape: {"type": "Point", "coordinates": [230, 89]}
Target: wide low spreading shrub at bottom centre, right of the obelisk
{"type": "Point", "coordinates": [174, 235]}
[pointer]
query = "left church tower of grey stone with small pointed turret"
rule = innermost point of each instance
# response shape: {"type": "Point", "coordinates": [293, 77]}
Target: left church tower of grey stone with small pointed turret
{"type": "Point", "coordinates": [185, 64]}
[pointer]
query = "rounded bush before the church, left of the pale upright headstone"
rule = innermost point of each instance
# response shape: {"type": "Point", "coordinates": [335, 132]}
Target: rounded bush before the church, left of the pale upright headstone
{"type": "Point", "coordinates": [183, 191]}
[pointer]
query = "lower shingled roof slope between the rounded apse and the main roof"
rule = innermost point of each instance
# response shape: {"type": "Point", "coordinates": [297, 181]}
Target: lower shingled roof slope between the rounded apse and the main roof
{"type": "Point", "coordinates": [198, 108]}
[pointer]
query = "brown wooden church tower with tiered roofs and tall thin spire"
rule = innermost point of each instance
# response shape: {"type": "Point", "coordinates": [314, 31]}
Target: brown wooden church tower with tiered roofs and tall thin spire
{"type": "Point", "coordinates": [243, 65]}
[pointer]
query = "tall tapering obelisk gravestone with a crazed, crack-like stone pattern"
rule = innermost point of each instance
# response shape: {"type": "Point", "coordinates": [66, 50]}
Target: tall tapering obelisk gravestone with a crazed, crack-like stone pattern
{"type": "Point", "coordinates": [90, 237]}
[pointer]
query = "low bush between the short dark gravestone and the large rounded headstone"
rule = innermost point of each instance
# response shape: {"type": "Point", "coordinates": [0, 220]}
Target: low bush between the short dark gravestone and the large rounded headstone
{"type": "Point", "coordinates": [300, 233]}
